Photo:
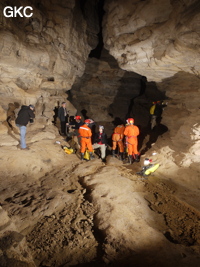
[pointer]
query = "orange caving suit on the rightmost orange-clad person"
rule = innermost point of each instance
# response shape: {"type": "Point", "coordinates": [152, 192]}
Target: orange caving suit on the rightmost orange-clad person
{"type": "Point", "coordinates": [132, 131]}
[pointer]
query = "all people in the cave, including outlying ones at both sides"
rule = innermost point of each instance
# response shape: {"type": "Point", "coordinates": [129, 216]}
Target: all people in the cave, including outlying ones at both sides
{"type": "Point", "coordinates": [124, 137]}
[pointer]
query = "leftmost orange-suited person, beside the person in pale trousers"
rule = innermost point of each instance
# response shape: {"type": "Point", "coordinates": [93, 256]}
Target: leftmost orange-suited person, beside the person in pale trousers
{"type": "Point", "coordinates": [86, 134]}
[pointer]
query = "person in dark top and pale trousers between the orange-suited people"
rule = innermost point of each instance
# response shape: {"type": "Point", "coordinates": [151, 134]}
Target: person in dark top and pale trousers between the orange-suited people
{"type": "Point", "coordinates": [100, 141]}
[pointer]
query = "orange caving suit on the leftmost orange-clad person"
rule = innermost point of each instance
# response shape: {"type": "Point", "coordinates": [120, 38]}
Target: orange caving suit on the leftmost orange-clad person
{"type": "Point", "coordinates": [85, 134]}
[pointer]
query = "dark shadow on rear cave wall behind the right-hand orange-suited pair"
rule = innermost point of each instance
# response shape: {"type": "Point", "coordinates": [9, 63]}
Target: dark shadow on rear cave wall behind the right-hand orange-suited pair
{"type": "Point", "coordinates": [137, 106]}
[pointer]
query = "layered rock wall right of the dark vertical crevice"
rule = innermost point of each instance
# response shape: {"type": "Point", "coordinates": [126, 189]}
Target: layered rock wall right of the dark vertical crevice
{"type": "Point", "coordinates": [160, 40]}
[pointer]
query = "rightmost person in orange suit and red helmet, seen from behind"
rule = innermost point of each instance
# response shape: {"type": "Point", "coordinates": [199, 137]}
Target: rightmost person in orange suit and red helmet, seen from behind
{"type": "Point", "coordinates": [131, 132]}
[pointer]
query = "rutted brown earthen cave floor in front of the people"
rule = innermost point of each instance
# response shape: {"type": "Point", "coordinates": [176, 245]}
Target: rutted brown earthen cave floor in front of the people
{"type": "Point", "coordinates": [59, 211]}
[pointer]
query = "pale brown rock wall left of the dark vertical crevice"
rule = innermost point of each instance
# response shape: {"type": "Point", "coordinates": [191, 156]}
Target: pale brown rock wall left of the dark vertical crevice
{"type": "Point", "coordinates": [42, 55]}
